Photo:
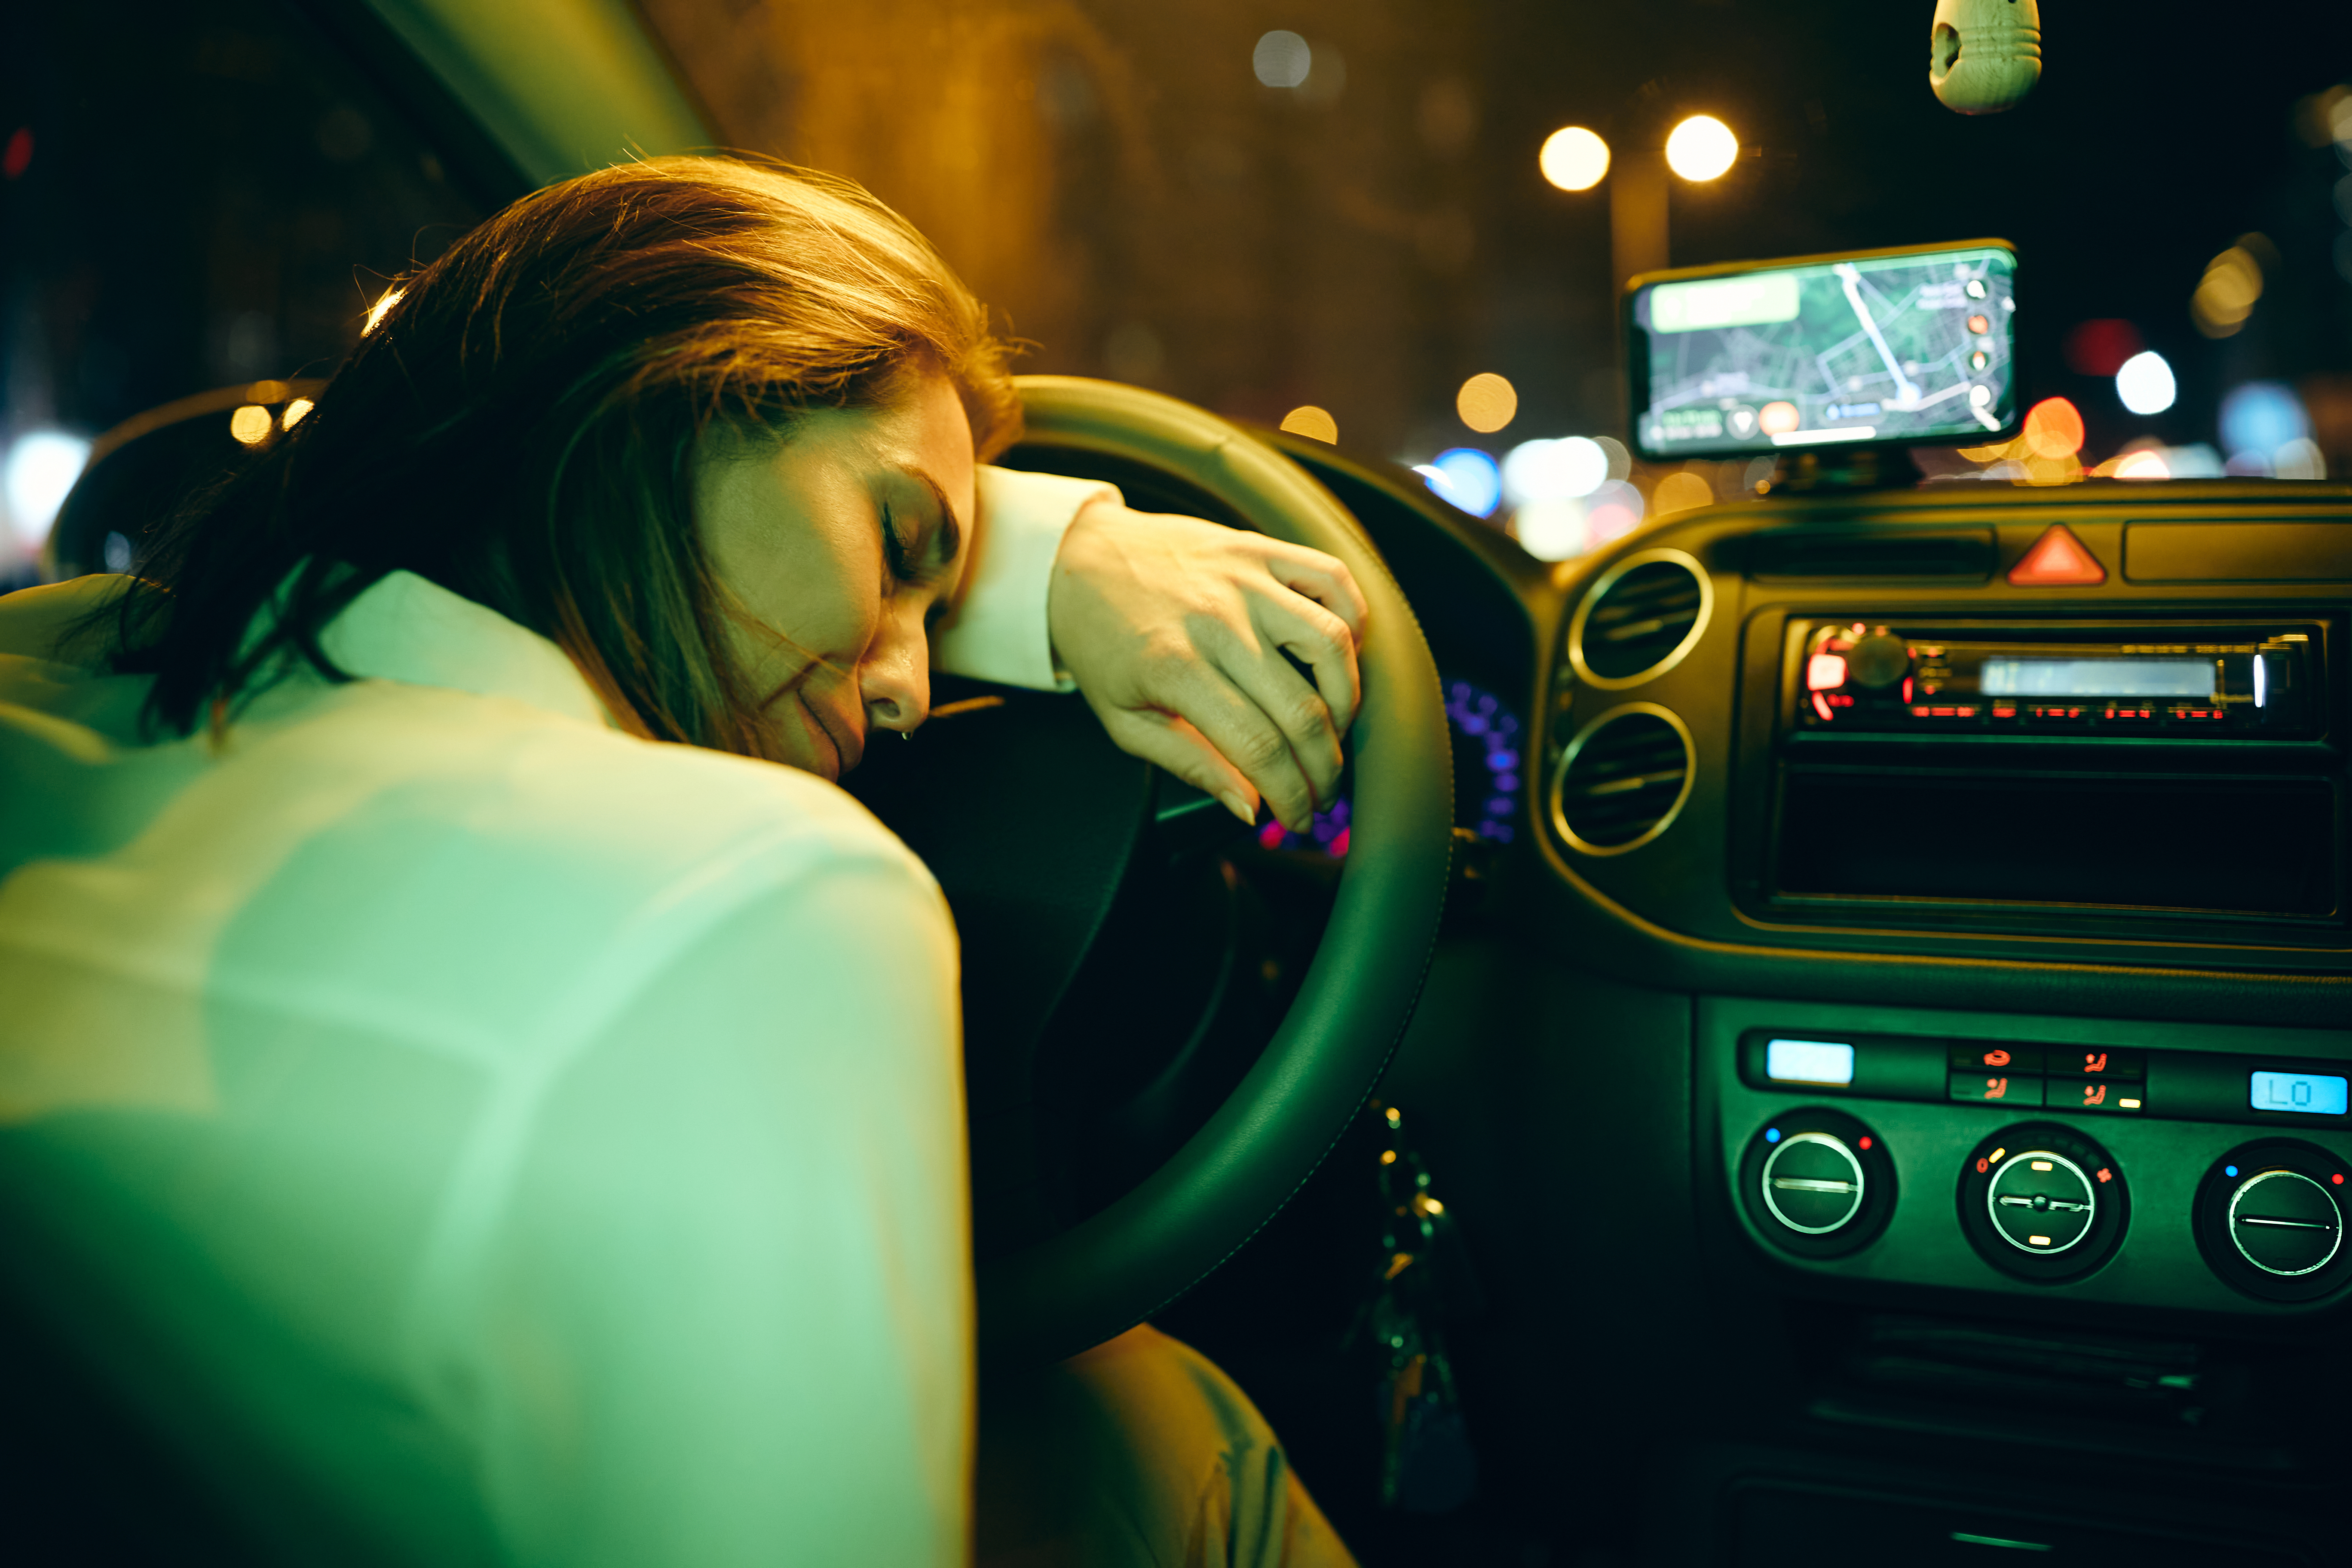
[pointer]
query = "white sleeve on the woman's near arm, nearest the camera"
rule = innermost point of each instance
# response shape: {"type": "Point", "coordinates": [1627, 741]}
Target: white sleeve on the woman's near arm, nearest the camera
{"type": "Point", "coordinates": [728, 1320]}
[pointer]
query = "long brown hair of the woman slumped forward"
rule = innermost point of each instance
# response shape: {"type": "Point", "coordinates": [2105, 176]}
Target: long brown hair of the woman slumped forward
{"type": "Point", "coordinates": [521, 429]}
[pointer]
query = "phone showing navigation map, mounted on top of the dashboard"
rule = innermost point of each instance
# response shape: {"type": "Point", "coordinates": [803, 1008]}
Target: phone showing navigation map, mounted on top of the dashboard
{"type": "Point", "coordinates": [1885, 349]}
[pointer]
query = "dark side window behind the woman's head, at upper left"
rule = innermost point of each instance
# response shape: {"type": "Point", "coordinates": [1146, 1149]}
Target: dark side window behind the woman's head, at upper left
{"type": "Point", "coordinates": [196, 196]}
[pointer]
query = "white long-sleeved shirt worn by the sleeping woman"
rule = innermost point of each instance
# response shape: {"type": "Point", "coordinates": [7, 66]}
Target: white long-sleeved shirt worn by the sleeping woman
{"type": "Point", "coordinates": [479, 1137]}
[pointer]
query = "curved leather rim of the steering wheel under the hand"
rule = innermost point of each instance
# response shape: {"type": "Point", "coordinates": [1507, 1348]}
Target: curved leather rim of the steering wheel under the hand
{"type": "Point", "coordinates": [1132, 1259]}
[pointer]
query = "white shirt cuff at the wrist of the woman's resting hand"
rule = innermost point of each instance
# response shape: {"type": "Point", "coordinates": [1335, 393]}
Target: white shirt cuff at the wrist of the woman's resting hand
{"type": "Point", "coordinates": [1001, 631]}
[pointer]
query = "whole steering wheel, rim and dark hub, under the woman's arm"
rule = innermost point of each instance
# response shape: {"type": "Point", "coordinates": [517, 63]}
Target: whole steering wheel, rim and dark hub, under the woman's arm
{"type": "Point", "coordinates": [1050, 1292]}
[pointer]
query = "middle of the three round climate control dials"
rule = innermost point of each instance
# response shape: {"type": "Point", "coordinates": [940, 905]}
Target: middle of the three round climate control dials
{"type": "Point", "coordinates": [2043, 1202]}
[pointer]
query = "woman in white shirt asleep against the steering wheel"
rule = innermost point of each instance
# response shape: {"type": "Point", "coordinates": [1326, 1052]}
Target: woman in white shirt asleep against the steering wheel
{"type": "Point", "coordinates": [455, 1085]}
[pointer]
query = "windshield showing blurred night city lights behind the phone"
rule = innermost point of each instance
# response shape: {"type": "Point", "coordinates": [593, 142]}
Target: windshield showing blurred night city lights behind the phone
{"type": "Point", "coordinates": [1335, 213]}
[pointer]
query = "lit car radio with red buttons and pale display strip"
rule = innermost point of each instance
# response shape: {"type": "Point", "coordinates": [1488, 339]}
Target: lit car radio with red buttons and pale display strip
{"type": "Point", "coordinates": [2069, 678]}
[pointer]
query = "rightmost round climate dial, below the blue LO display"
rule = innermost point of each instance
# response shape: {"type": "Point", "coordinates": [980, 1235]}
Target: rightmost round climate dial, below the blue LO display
{"type": "Point", "coordinates": [2271, 1219]}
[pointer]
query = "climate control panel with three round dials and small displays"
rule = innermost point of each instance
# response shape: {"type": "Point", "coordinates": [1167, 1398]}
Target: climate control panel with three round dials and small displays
{"type": "Point", "coordinates": [2181, 1167]}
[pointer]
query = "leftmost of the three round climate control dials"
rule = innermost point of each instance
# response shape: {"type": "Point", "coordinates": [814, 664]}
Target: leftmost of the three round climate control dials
{"type": "Point", "coordinates": [1817, 1184]}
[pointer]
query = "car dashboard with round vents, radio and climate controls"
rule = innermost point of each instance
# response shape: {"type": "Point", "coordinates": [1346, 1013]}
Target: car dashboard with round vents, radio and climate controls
{"type": "Point", "coordinates": [1887, 1068]}
